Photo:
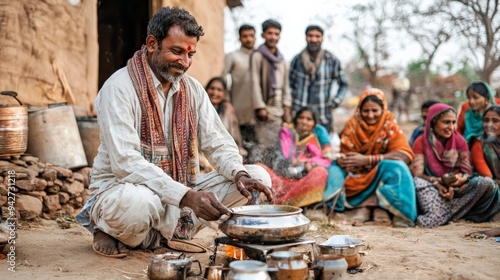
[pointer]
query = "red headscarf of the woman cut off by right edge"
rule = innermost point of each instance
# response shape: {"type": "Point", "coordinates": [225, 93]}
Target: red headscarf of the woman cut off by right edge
{"type": "Point", "coordinates": [491, 148]}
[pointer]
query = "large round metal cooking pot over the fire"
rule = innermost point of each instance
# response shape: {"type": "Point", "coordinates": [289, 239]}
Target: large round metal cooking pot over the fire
{"type": "Point", "coordinates": [265, 223]}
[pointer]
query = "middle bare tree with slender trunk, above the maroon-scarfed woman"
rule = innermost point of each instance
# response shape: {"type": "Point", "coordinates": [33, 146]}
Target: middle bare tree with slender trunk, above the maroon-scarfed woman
{"type": "Point", "coordinates": [427, 28]}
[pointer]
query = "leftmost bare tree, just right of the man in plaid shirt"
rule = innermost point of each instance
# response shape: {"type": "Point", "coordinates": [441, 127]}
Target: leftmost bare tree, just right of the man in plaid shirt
{"type": "Point", "coordinates": [371, 22]}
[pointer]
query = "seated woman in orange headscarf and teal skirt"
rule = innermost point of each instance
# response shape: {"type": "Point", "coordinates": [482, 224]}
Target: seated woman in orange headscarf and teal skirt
{"type": "Point", "coordinates": [374, 171]}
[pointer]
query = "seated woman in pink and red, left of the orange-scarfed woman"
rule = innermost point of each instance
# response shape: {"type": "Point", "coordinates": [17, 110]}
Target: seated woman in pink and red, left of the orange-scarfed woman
{"type": "Point", "coordinates": [299, 170]}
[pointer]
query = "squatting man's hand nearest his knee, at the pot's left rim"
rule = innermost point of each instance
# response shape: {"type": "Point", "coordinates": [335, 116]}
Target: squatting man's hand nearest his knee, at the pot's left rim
{"type": "Point", "coordinates": [205, 205]}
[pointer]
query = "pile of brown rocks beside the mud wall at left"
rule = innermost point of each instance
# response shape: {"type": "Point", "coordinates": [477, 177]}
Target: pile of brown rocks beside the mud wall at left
{"type": "Point", "coordinates": [41, 189]}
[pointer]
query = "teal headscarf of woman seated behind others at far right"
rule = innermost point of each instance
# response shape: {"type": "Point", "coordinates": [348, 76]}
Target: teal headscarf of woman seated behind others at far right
{"type": "Point", "coordinates": [474, 121]}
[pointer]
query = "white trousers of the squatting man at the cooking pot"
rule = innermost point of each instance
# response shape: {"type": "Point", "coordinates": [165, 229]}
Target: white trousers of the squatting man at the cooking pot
{"type": "Point", "coordinates": [134, 215]}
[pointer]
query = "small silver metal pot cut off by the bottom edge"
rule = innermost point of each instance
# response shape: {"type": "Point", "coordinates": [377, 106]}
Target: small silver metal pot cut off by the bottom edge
{"type": "Point", "coordinates": [248, 270]}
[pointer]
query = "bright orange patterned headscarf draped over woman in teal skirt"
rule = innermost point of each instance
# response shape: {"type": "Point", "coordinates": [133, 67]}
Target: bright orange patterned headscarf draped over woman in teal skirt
{"type": "Point", "coordinates": [383, 137]}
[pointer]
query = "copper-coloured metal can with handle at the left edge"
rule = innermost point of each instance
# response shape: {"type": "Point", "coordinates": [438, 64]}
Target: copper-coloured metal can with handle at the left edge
{"type": "Point", "coordinates": [13, 127]}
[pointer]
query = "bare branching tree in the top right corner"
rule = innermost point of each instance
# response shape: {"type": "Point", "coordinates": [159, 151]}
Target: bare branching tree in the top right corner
{"type": "Point", "coordinates": [478, 24]}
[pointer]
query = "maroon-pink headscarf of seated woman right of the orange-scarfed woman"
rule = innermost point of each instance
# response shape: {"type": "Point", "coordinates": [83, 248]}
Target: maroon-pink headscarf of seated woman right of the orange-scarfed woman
{"type": "Point", "coordinates": [439, 158]}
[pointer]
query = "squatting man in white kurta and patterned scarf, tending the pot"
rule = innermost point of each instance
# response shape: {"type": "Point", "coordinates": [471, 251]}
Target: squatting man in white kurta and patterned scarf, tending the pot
{"type": "Point", "coordinates": [152, 117]}
